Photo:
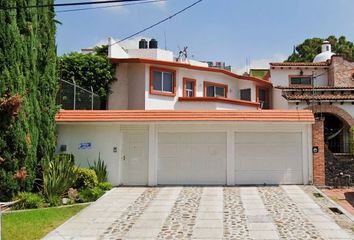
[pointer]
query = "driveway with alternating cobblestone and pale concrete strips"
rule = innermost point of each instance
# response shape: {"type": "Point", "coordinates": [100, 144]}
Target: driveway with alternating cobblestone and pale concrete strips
{"type": "Point", "coordinates": [284, 212]}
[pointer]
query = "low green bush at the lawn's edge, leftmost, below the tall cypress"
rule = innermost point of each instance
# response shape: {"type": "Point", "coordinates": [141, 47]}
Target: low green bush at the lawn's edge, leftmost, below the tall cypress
{"type": "Point", "coordinates": [28, 200]}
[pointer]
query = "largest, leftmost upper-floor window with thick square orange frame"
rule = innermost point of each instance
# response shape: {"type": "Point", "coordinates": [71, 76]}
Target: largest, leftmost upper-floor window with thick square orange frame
{"type": "Point", "coordinates": [162, 81]}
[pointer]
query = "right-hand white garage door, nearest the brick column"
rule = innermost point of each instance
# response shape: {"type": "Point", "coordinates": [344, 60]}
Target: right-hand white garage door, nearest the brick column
{"type": "Point", "coordinates": [271, 158]}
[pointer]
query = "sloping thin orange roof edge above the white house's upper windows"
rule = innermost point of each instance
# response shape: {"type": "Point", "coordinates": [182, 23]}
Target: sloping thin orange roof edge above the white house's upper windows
{"type": "Point", "coordinates": [193, 67]}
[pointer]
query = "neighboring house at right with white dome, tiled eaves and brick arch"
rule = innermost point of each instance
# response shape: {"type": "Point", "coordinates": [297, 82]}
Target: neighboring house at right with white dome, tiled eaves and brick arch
{"type": "Point", "coordinates": [325, 86]}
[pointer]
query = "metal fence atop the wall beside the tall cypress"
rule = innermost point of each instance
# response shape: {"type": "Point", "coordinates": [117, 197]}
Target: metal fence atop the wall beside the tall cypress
{"type": "Point", "coordinates": [73, 97]}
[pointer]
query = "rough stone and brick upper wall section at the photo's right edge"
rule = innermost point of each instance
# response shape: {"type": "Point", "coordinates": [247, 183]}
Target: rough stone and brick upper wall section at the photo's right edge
{"type": "Point", "coordinates": [340, 72]}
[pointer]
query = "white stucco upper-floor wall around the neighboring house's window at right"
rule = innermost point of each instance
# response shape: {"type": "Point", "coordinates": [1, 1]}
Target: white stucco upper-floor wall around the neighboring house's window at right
{"type": "Point", "coordinates": [280, 77]}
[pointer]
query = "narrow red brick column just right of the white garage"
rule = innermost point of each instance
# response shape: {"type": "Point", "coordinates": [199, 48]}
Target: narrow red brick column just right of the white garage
{"type": "Point", "coordinates": [319, 175]}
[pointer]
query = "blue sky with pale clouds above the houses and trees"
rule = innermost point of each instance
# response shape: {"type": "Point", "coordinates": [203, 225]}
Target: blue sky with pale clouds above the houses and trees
{"type": "Point", "coordinates": [214, 30]}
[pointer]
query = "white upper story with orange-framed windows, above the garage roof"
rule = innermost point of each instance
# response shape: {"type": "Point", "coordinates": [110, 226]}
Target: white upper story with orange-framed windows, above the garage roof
{"type": "Point", "coordinates": [152, 78]}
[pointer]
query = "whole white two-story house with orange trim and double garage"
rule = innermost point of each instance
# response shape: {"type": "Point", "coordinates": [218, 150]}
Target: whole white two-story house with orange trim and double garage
{"type": "Point", "coordinates": [179, 121]}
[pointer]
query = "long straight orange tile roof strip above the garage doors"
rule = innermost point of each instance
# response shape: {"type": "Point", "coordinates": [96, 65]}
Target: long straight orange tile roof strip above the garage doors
{"type": "Point", "coordinates": [184, 115]}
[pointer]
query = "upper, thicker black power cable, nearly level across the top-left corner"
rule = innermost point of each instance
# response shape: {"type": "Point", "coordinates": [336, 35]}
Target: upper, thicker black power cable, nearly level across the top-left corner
{"type": "Point", "coordinates": [68, 4]}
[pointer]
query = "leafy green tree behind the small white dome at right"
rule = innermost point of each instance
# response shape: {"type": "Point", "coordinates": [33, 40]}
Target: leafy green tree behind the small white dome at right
{"type": "Point", "coordinates": [306, 51]}
